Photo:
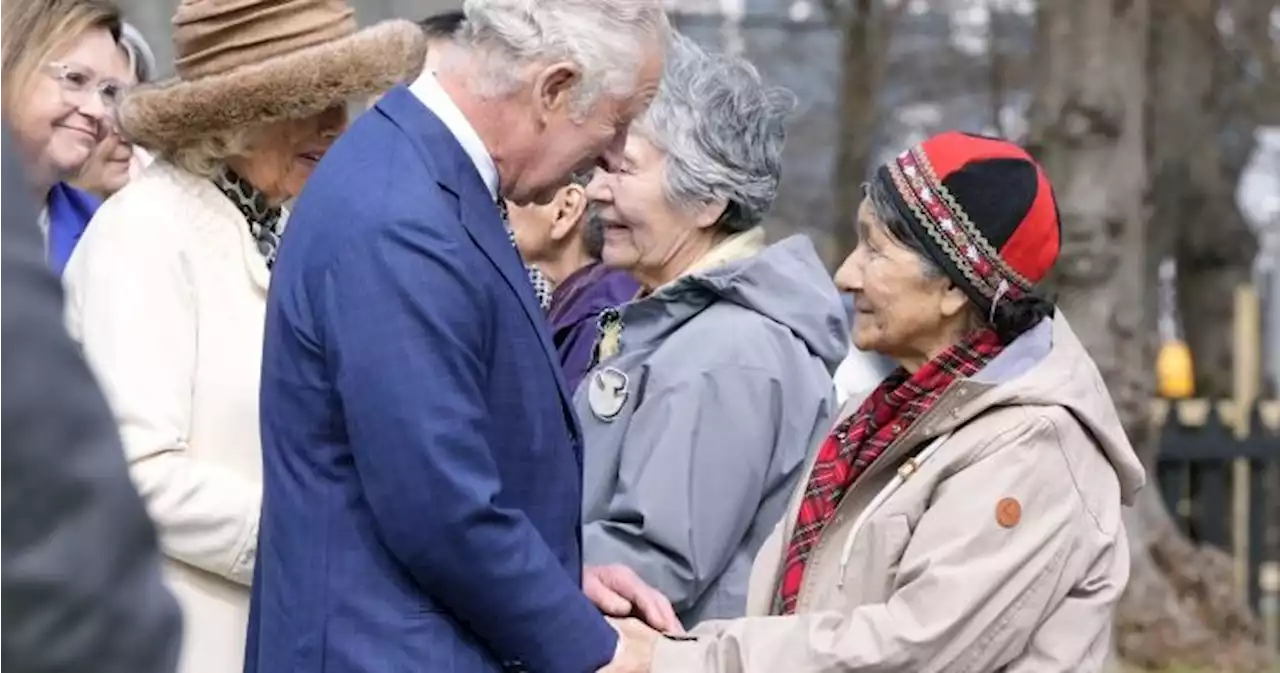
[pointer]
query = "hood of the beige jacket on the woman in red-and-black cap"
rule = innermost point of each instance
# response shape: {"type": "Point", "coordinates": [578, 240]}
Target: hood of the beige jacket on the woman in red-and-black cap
{"type": "Point", "coordinates": [1049, 367]}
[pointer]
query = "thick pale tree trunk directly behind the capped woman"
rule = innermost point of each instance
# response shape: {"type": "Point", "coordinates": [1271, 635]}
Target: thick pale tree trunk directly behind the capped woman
{"type": "Point", "coordinates": [1087, 130]}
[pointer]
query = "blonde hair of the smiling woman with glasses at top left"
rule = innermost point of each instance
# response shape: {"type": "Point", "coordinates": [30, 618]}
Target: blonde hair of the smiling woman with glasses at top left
{"type": "Point", "coordinates": [33, 31]}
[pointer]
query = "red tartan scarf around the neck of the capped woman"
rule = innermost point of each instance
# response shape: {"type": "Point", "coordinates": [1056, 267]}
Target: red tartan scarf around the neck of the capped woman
{"type": "Point", "coordinates": [886, 415]}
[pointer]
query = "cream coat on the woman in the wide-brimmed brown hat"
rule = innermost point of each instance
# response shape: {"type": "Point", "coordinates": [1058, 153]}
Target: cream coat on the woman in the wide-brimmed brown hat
{"type": "Point", "coordinates": [167, 292]}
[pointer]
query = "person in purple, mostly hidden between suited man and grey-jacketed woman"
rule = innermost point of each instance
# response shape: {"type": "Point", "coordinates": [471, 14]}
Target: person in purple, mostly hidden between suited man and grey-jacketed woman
{"type": "Point", "coordinates": [564, 241]}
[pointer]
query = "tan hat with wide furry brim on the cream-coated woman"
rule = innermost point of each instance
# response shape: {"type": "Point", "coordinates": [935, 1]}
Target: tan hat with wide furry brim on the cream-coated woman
{"type": "Point", "coordinates": [245, 63]}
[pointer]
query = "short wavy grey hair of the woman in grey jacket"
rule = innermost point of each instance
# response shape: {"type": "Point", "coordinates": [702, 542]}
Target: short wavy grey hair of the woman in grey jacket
{"type": "Point", "coordinates": [723, 131]}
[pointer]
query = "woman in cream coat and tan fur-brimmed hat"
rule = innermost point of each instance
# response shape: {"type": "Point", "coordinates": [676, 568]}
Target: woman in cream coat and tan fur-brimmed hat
{"type": "Point", "coordinates": [168, 289]}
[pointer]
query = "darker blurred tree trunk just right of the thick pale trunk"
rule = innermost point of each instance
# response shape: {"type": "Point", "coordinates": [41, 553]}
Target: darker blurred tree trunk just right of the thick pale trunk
{"type": "Point", "coordinates": [1195, 85]}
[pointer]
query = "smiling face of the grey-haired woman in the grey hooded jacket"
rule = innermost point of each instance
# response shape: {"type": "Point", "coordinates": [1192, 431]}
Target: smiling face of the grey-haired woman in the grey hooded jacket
{"type": "Point", "coordinates": [644, 234]}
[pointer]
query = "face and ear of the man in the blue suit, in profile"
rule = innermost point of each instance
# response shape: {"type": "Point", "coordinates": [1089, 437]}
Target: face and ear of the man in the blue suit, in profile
{"type": "Point", "coordinates": [563, 143]}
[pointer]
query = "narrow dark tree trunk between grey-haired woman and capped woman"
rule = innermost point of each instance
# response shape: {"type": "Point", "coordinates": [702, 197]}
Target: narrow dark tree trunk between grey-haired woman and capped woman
{"type": "Point", "coordinates": [866, 29]}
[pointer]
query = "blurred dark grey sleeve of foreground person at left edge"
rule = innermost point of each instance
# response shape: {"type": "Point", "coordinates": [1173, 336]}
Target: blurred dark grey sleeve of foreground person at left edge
{"type": "Point", "coordinates": [80, 571]}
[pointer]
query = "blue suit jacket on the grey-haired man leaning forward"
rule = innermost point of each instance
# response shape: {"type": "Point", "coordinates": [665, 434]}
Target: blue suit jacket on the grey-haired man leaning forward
{"type": "Point", "coordinates": [422, 463]}
